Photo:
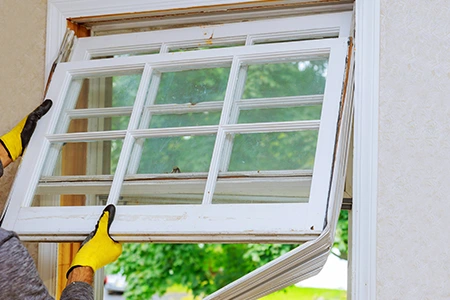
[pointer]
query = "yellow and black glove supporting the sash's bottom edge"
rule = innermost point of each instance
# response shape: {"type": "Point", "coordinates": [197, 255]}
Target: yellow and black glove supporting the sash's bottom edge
{"type": "Point", "coordinates": [99, 248]}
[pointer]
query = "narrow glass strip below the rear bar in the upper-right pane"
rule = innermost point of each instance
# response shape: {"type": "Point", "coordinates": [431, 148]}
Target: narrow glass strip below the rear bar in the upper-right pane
{"type": "Point", "coordinates": [300, 113]}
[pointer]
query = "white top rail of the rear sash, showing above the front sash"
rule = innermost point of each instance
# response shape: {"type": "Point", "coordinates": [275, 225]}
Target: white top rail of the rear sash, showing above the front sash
{"type": "Point", "coordinates": [205, 36]}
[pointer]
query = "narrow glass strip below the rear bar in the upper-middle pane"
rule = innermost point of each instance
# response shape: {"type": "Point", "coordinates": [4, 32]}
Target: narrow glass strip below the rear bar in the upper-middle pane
{"type": "Point", "coordinates": [181, 120]}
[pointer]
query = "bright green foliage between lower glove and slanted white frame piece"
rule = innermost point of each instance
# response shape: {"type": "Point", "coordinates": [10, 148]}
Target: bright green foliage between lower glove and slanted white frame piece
{"type": "Point", "coordinates": [201, 268]}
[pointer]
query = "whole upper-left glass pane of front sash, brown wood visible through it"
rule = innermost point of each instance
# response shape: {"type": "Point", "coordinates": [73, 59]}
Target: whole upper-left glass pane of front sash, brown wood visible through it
{"type": "Point", "coordinates": [97, 93]}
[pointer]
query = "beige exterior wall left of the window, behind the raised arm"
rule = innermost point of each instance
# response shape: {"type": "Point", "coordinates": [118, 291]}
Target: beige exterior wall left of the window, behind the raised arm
{"type": "Point", "coordinates": [22, 62]}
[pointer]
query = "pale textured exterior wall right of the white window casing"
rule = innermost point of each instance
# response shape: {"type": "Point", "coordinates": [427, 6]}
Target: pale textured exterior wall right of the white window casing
{"type": "Point", "coordinates": [413, 256]}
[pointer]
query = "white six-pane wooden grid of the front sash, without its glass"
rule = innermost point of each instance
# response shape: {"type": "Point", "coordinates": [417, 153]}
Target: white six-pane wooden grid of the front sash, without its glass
{"type": "Point", "coordinates": [293, 222]}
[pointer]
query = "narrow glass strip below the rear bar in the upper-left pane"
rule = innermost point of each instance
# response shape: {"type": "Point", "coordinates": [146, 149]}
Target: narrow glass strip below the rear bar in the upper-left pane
{"type": "Point", "coordinates": [99, 124]}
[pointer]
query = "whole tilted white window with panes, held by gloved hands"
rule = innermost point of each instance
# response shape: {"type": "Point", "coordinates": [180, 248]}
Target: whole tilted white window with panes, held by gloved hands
{"type": "Point", "coordinates": [134, 144]}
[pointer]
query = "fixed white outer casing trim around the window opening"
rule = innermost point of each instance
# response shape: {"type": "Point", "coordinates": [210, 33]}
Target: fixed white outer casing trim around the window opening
{"type": "Point", "coordinates": [363, 259]}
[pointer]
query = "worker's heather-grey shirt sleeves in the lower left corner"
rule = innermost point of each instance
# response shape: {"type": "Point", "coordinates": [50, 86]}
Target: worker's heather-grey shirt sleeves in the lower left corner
{"type": "Point", "coordinates": [19, 278]}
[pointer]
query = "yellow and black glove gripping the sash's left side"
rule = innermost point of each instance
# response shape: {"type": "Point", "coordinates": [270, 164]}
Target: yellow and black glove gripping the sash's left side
{"type": "Point", "coordinates": [17, 139]}
